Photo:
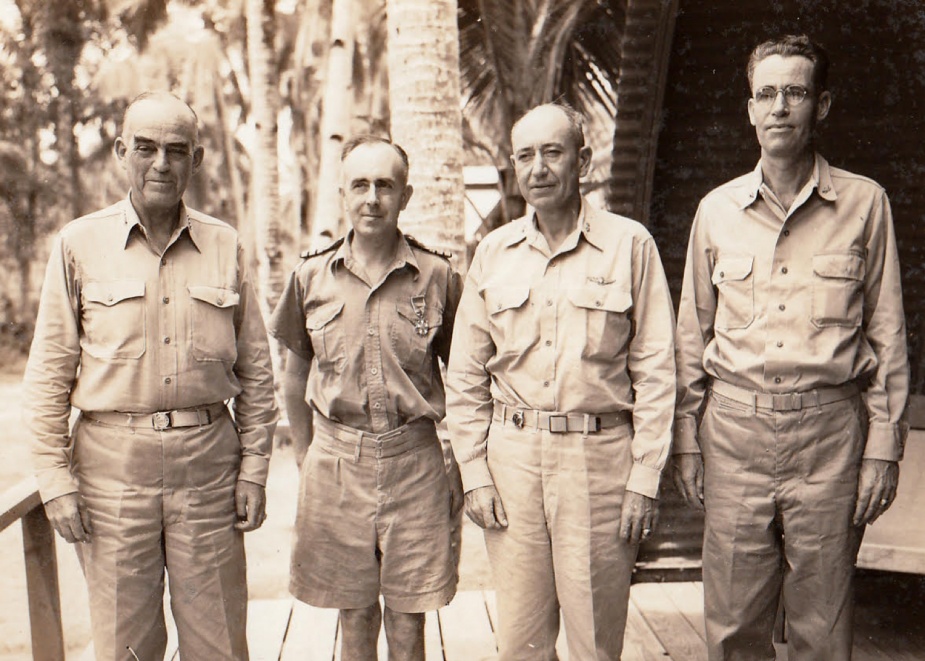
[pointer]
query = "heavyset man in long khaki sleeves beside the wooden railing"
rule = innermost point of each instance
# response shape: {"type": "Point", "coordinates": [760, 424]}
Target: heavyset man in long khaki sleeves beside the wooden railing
{"type": "Point", "coordinates": [148, 323]}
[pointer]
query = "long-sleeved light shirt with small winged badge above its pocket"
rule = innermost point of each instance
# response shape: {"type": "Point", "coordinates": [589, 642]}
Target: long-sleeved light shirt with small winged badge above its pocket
{"type": "Point", "coordinates": [587, 329]}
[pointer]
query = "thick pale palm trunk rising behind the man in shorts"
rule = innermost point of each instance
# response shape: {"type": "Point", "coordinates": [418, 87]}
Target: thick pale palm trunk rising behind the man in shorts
{"type": "Point", "coordinates": [426, 120]}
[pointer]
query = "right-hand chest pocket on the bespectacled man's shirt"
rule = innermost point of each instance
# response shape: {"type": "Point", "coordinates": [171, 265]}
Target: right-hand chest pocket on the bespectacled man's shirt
{"type": "Point", "coordinates": [838, 280]}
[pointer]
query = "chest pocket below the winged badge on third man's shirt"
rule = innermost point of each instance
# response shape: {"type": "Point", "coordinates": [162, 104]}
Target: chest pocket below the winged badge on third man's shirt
{"type": "Point", "coordinates": [604, 313]}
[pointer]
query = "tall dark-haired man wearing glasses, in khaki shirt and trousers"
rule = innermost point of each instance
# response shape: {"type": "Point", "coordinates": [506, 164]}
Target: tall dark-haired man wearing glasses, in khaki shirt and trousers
{"type": "Point", "coordinates": [791, 327]}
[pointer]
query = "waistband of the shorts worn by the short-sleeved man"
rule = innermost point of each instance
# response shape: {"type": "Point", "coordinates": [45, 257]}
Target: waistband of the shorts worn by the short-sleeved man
{"type": "Point", "coordinates": [353, 443]}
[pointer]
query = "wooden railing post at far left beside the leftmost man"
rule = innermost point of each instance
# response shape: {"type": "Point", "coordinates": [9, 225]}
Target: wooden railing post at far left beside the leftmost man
{"type": "Point", "coordinates": [38, 540]}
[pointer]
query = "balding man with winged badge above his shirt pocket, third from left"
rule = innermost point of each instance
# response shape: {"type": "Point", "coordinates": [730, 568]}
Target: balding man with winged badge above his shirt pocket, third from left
{"type": "Point", "coordinates": [560, 400]}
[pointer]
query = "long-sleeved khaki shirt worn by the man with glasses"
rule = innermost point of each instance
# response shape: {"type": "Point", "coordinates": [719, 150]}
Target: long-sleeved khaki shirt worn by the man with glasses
{"type": "Point", "coordinates": [781, 301]}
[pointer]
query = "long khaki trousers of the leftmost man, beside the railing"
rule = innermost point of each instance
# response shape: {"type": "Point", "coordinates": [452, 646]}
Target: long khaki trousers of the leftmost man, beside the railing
{"type": "Point", "coordinates": [162, 499]}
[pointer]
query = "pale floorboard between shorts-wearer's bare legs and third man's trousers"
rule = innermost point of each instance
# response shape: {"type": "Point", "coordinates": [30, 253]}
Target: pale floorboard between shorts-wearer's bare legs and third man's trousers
{"type": "Point", "coordinates": [466, 630]}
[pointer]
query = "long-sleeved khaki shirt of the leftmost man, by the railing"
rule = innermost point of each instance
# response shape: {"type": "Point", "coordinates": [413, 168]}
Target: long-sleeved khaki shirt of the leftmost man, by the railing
{"type": "Point", "coordinates": [121, 328]}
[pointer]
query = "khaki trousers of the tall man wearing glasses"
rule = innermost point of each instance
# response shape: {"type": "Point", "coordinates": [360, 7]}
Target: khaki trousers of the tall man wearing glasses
{"type": "Point", "coordinates": [780, 491]}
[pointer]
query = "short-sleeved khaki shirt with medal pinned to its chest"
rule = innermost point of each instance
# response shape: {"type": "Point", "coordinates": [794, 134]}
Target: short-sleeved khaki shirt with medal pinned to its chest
{"type": "Point", "coordinates": [373, 346]}
